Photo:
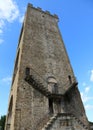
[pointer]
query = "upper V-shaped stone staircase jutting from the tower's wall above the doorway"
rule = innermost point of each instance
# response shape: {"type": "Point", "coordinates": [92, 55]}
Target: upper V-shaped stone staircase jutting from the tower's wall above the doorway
{"type": "Point", "coordinates": [40, 84]}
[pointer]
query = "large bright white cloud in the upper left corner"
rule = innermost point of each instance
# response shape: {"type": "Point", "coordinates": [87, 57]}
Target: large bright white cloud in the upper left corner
{"type": "Point", "coordinates": [8, 12]}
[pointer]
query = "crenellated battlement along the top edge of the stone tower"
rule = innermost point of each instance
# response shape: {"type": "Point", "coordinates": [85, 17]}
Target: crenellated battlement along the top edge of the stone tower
{"type": "Point", "coordinates": [40, 9]}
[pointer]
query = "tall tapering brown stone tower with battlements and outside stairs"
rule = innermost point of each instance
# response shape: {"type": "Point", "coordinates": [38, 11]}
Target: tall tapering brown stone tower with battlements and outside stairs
{"type": "Point", "coordinates": [44, 93]}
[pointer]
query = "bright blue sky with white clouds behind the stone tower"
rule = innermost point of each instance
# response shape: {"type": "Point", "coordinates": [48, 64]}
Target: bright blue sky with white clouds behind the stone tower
{"type": "Point", "coordinates": [76, 26]}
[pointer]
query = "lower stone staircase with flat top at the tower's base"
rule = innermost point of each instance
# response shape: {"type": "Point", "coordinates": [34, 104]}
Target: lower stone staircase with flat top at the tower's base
{"type": "Point", "coordinates": [64, 121]}
